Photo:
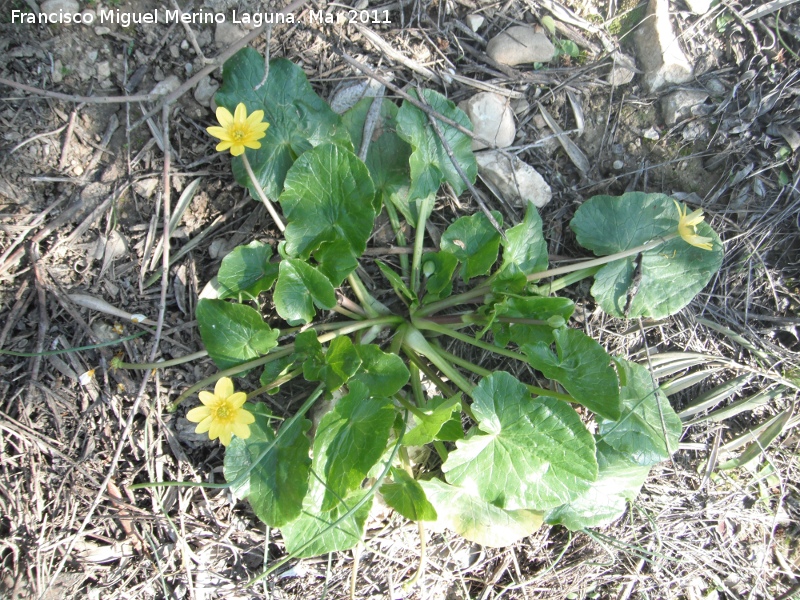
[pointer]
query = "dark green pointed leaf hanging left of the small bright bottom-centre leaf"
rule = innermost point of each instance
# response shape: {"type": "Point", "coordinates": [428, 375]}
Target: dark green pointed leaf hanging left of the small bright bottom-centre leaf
{"type": "Point", "coordinates": [351, 438]}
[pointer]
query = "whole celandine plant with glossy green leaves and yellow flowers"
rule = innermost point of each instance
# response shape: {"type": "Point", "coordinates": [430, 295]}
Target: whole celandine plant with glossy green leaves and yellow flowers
{"type": "Point", "coordinates": [507, 455]}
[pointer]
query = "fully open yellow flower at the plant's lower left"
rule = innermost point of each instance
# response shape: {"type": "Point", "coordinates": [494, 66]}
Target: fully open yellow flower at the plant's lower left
{"type": "Point", "coordinates": [222, 414]}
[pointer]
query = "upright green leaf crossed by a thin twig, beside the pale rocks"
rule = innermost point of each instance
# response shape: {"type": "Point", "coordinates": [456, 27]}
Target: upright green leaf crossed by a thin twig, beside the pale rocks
{"type": "Point", "coordinates": [429, 162]}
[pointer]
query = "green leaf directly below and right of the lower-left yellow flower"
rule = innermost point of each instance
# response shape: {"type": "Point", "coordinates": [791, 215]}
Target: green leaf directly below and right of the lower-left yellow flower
{"type": "Point", "coordinates": [278, 481]}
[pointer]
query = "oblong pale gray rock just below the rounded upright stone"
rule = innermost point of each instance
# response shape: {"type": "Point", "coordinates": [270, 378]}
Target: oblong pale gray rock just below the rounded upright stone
{"type": "Point", "coordinates": [517, 182]}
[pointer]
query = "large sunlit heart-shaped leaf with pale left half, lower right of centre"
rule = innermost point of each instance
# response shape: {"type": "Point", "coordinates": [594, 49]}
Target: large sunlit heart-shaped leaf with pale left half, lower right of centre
{"type": "Point", "coordinates": [525, 453]}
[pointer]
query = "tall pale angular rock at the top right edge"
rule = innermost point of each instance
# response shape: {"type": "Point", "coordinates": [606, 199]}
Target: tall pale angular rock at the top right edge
{"type": "Point", "coordinates": [659, 51]}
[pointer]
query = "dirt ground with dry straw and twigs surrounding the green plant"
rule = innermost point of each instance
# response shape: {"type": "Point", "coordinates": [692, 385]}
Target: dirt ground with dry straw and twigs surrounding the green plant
{"type": "Point", "coordinates": [81, 195]}
